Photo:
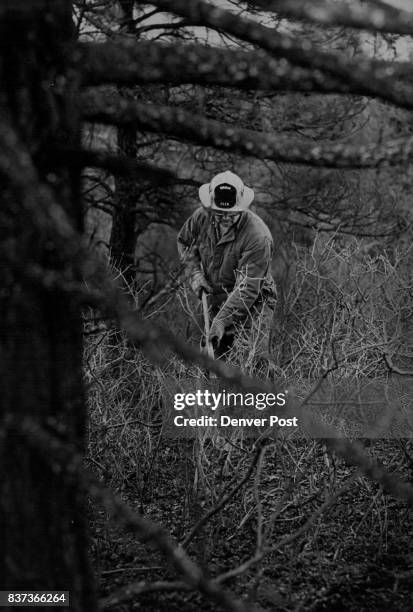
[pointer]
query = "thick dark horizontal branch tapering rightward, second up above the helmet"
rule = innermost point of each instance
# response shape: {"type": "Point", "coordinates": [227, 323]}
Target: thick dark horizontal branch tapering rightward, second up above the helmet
{"type": "Point", "coordinates": [132, 63]}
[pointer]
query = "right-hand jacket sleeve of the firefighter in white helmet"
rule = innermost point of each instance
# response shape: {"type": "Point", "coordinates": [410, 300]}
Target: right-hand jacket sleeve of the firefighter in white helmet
{"type": "Point", "coordinates": [252, 271]}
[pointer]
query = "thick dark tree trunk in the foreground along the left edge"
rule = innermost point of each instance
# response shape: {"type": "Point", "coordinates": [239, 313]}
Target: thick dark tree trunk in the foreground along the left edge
{"type": "Point", "coordinates": [43, 532]}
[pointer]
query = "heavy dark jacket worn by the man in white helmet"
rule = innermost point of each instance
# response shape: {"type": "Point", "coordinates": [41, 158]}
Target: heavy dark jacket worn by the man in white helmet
{"type": "Point", "coordinates": [237, 265]}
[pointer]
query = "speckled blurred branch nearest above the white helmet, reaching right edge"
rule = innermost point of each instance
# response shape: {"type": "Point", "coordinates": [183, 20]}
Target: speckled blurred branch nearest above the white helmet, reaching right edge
{"type": "Point", "coordinates": [184, 125]}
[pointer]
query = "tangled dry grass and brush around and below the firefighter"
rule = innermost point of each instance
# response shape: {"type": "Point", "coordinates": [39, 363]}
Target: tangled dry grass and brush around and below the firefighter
{"type": "Point", "coordinates": [304, 531]}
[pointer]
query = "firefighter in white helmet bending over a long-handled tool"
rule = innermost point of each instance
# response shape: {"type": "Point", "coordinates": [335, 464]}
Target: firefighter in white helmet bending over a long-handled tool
{"type": "Point", "coordinates": [226, 250]}
